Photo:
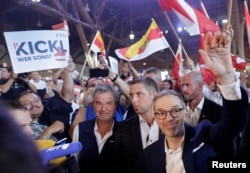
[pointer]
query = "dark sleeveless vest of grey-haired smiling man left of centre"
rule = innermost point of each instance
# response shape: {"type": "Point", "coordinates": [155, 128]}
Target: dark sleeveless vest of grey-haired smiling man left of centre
{"type": "Point", "coordinates": [90, 161]}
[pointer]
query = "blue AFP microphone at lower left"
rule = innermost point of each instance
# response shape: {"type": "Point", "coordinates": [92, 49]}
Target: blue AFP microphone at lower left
{"type": "Point", "coordinates": [59, 151]}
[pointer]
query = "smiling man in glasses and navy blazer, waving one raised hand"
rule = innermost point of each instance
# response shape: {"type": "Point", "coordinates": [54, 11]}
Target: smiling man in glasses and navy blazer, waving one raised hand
{"type": "Point", "coordinates": [182, 148]}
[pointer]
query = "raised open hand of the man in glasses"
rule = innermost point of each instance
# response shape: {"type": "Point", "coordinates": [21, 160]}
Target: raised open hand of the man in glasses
{"type": "Point", "coordinates": [217, 54]}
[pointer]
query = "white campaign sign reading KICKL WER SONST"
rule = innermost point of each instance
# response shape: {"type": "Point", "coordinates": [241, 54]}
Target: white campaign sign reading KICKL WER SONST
{"type": "Point", "coordinates": [37, 50]}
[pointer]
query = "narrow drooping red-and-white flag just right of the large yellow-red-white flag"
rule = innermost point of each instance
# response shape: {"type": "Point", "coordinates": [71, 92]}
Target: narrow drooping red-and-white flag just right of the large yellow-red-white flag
{"type": "Point", "coordinates": [178, 64]}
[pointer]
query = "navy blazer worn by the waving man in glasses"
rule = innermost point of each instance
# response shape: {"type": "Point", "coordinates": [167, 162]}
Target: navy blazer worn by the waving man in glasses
{"type": "Point", "coordinates": [203, 141]}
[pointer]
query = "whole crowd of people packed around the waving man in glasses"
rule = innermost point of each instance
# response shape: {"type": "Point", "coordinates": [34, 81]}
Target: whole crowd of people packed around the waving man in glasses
{"type": "Point", "coordinates": [134, 123]}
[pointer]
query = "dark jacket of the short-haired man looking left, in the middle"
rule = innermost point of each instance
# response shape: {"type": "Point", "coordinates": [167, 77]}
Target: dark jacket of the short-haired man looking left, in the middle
{"type": "Point", "coordinates": [128, 147]}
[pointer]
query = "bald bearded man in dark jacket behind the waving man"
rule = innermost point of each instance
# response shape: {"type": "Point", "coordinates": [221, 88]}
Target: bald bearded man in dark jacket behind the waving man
{"type": "Point", "coordinates": [202, 108]}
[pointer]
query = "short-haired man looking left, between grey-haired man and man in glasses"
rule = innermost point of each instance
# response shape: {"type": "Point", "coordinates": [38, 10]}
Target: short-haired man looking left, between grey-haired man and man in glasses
{"type": "Point", "coordinates": [138, 132]}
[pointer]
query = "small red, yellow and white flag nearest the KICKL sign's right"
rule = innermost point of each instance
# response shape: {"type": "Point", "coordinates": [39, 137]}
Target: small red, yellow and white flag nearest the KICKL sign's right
{"type": "Point", "coordinates": [97, 44]}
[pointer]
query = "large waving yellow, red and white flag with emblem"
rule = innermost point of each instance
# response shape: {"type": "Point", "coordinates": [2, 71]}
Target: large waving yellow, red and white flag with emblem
{"type": "Point", "coordinates": [150, 43]}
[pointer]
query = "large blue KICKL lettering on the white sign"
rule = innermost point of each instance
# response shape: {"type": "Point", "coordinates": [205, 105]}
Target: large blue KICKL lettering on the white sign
{"type": "Point", "coordinates": [41, 48]}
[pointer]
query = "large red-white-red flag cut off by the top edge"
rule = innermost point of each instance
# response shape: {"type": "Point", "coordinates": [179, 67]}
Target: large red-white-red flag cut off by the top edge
{"type": "Point", "coordinates": [194, 21]}
